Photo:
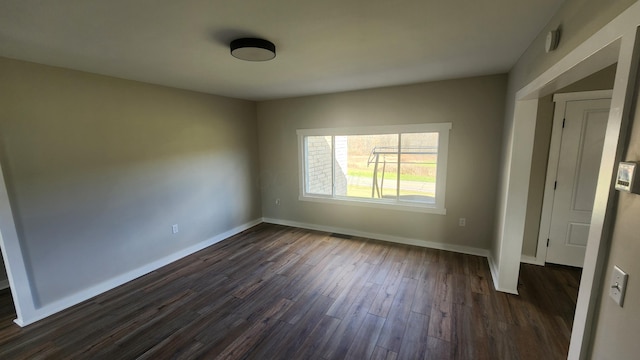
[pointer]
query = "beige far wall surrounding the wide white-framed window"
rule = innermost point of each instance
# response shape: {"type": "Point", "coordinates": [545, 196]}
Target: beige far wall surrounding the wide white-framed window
{"type": "Point", "coordinates": [474, 106]}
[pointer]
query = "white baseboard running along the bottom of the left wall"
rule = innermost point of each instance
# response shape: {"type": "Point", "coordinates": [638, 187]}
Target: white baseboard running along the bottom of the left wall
{"type": "Point", "coordinates": [110, 284]}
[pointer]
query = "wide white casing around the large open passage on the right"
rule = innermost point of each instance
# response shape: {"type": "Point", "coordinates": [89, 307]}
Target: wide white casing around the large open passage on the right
{"type": "Point", "coordinates": [618, 41]}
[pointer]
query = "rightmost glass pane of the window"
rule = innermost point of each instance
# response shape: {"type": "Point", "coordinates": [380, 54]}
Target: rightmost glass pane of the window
{"type": "Point", "coordinates": [418, 167]}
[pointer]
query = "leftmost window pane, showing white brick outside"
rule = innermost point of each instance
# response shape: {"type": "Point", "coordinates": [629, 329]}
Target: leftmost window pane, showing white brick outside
{"type": "Point", "coordinates": [318, 165]}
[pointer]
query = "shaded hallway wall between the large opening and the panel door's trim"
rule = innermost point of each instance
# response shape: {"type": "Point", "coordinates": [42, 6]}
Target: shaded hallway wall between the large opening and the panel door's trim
{"type": "Point", "coordinates": [602, 80]}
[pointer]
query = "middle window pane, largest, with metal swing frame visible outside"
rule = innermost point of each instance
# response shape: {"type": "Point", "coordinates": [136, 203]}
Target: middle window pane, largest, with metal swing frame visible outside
{"type": "Point", "coordinates": [371, 165]}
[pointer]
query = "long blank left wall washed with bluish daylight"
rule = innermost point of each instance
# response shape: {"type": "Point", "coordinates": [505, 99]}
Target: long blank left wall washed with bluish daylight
{"type": "Point", "coordinates": [99, 168]}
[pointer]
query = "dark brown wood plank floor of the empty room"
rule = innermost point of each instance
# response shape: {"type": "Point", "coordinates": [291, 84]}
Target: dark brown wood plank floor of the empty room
{"type": "Point", "coordinates": [275, 292]}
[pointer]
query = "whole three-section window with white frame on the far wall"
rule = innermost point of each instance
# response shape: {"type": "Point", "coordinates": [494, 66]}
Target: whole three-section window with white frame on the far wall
{"type": "Point", "coordinates": [400, 167]}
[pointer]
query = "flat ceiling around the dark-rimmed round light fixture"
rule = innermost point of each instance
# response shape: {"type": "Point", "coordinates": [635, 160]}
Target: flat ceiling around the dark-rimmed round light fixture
{"type": "Point", "coordinates": [322, 46]}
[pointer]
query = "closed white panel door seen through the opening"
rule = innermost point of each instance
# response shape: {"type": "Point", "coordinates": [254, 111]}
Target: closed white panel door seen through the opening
{"type": "Point", "coordinates": [583, 133]}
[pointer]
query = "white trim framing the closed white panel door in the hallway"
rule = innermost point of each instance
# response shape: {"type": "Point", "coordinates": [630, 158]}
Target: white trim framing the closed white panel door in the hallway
{"type": "Point", "coordinates": [560, 101]}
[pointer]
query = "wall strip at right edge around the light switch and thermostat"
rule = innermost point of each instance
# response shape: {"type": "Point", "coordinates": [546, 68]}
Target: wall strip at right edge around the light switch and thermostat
{"type": "Point", "coordinates": [617, 327]}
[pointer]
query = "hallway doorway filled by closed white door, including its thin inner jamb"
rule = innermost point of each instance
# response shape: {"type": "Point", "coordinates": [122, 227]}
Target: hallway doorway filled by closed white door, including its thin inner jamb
{"type": "Point", "coordinates": [577, 140]}
